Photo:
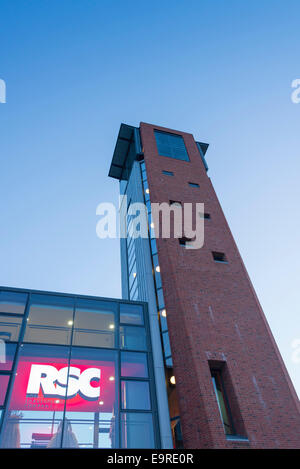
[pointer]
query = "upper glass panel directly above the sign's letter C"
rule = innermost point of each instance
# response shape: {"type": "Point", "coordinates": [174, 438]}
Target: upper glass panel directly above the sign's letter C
{"type": "Point", "coordinates": [94, 324]}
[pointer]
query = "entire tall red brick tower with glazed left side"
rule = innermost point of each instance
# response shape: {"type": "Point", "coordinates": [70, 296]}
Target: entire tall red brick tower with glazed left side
{"type": "Point", "coordinates": [227, 385]}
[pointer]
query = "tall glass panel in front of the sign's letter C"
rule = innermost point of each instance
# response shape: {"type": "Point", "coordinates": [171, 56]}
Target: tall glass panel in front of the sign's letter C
{"type": "Point", "coordinates": [91, 413]}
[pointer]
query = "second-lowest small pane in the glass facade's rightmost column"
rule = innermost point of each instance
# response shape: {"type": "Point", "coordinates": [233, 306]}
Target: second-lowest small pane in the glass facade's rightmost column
{"type": "Point", "coordinates": [135, 395]}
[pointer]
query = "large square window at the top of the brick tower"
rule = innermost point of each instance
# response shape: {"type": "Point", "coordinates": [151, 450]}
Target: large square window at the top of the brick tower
{"type": "Point", "coordinates": [171, 145]}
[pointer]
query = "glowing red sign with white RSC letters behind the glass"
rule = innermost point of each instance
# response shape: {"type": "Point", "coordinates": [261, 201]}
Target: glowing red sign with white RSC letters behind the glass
{"type": "Point", "coordinates": [84, 386]}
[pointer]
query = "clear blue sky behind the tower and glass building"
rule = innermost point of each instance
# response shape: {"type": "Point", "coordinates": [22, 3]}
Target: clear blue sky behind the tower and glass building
{"type": "Point", "coordinates": [76, 69]}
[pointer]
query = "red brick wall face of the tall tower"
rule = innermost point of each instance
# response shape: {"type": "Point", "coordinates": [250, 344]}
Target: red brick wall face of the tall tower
{"type": "Point", "coordinates": [213, 315]}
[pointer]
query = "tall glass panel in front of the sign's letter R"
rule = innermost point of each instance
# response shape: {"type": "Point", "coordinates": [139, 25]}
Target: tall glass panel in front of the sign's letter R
{"type": "Point", "coordinates": [37, 401]}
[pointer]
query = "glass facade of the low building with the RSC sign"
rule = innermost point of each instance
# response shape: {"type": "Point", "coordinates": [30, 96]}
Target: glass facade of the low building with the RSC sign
{"type": "Point", "coordinates": [75, 372]}
